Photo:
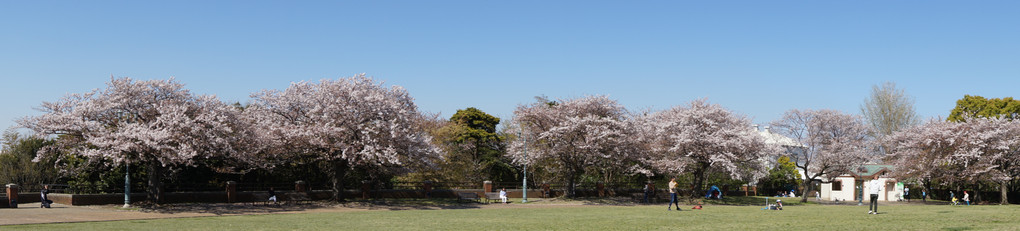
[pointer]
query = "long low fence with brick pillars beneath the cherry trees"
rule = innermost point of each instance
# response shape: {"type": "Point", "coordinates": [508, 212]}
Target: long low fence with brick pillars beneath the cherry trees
{"type": "Point", "coordinates": [250, 193]}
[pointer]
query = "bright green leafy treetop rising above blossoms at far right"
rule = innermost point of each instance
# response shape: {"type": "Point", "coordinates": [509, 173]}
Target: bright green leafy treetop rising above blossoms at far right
{"type": "Point", "coordinates": [985, 108]}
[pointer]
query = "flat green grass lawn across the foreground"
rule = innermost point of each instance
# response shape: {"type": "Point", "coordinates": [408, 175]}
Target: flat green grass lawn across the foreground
{"type": "Point", "coordinates": [807, 217]}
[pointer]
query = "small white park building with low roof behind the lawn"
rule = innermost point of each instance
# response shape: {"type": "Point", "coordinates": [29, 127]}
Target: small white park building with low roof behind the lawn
{"type": "Point", "coordinates": [848, 187]}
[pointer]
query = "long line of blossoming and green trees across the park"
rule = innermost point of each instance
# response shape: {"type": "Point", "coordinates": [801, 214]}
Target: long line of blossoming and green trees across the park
{"type": "Point", "coordinates": [359, 128]}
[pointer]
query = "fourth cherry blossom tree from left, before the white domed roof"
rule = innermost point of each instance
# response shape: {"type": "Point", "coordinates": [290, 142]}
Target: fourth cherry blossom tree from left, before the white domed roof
{"type": "Point", "coordinates": [702, 137]}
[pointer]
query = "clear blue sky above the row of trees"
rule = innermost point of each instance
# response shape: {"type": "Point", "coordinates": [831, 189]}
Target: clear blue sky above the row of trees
{"type": "Point", "coordinates": [759, 59]}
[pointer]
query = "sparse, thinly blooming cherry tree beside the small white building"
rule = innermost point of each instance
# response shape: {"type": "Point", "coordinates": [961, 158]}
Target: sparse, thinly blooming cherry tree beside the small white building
{"type": "Point", "coordinates": [834, 143]}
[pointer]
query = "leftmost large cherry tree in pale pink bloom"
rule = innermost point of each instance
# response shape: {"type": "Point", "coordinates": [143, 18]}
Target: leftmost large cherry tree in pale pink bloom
{"type": "Point", "coordinates": [156, 123]}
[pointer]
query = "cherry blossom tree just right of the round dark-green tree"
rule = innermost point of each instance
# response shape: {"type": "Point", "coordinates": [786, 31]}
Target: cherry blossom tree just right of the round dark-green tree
{"type": "Point", "coordinates": [575, 134]}
